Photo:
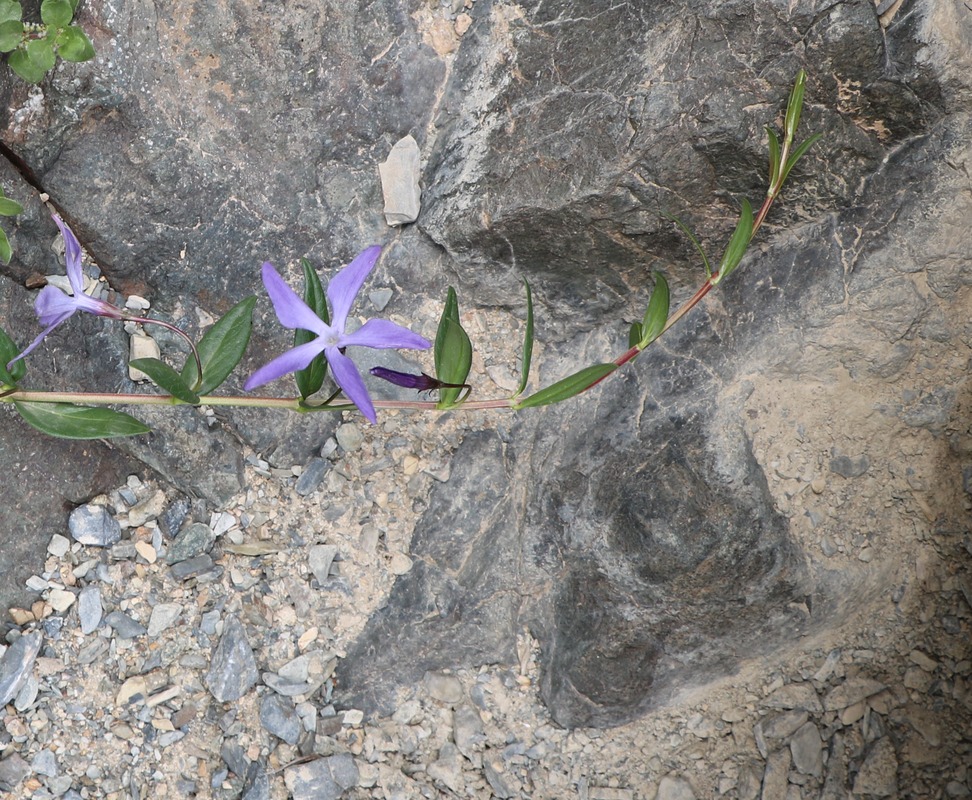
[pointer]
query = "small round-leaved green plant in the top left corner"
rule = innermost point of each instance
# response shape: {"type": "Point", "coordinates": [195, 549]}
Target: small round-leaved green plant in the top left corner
{"type": "Point", "coordinates": [35, 46]}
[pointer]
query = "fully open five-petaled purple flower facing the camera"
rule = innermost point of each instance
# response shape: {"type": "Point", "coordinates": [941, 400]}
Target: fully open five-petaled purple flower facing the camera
{"type": "Point", "coordinates": [332, 339]}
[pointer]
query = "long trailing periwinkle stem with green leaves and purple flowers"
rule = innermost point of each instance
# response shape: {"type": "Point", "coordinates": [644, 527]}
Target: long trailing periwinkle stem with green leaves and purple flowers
{"type": "Point", "coordinates": [322, 340]}
